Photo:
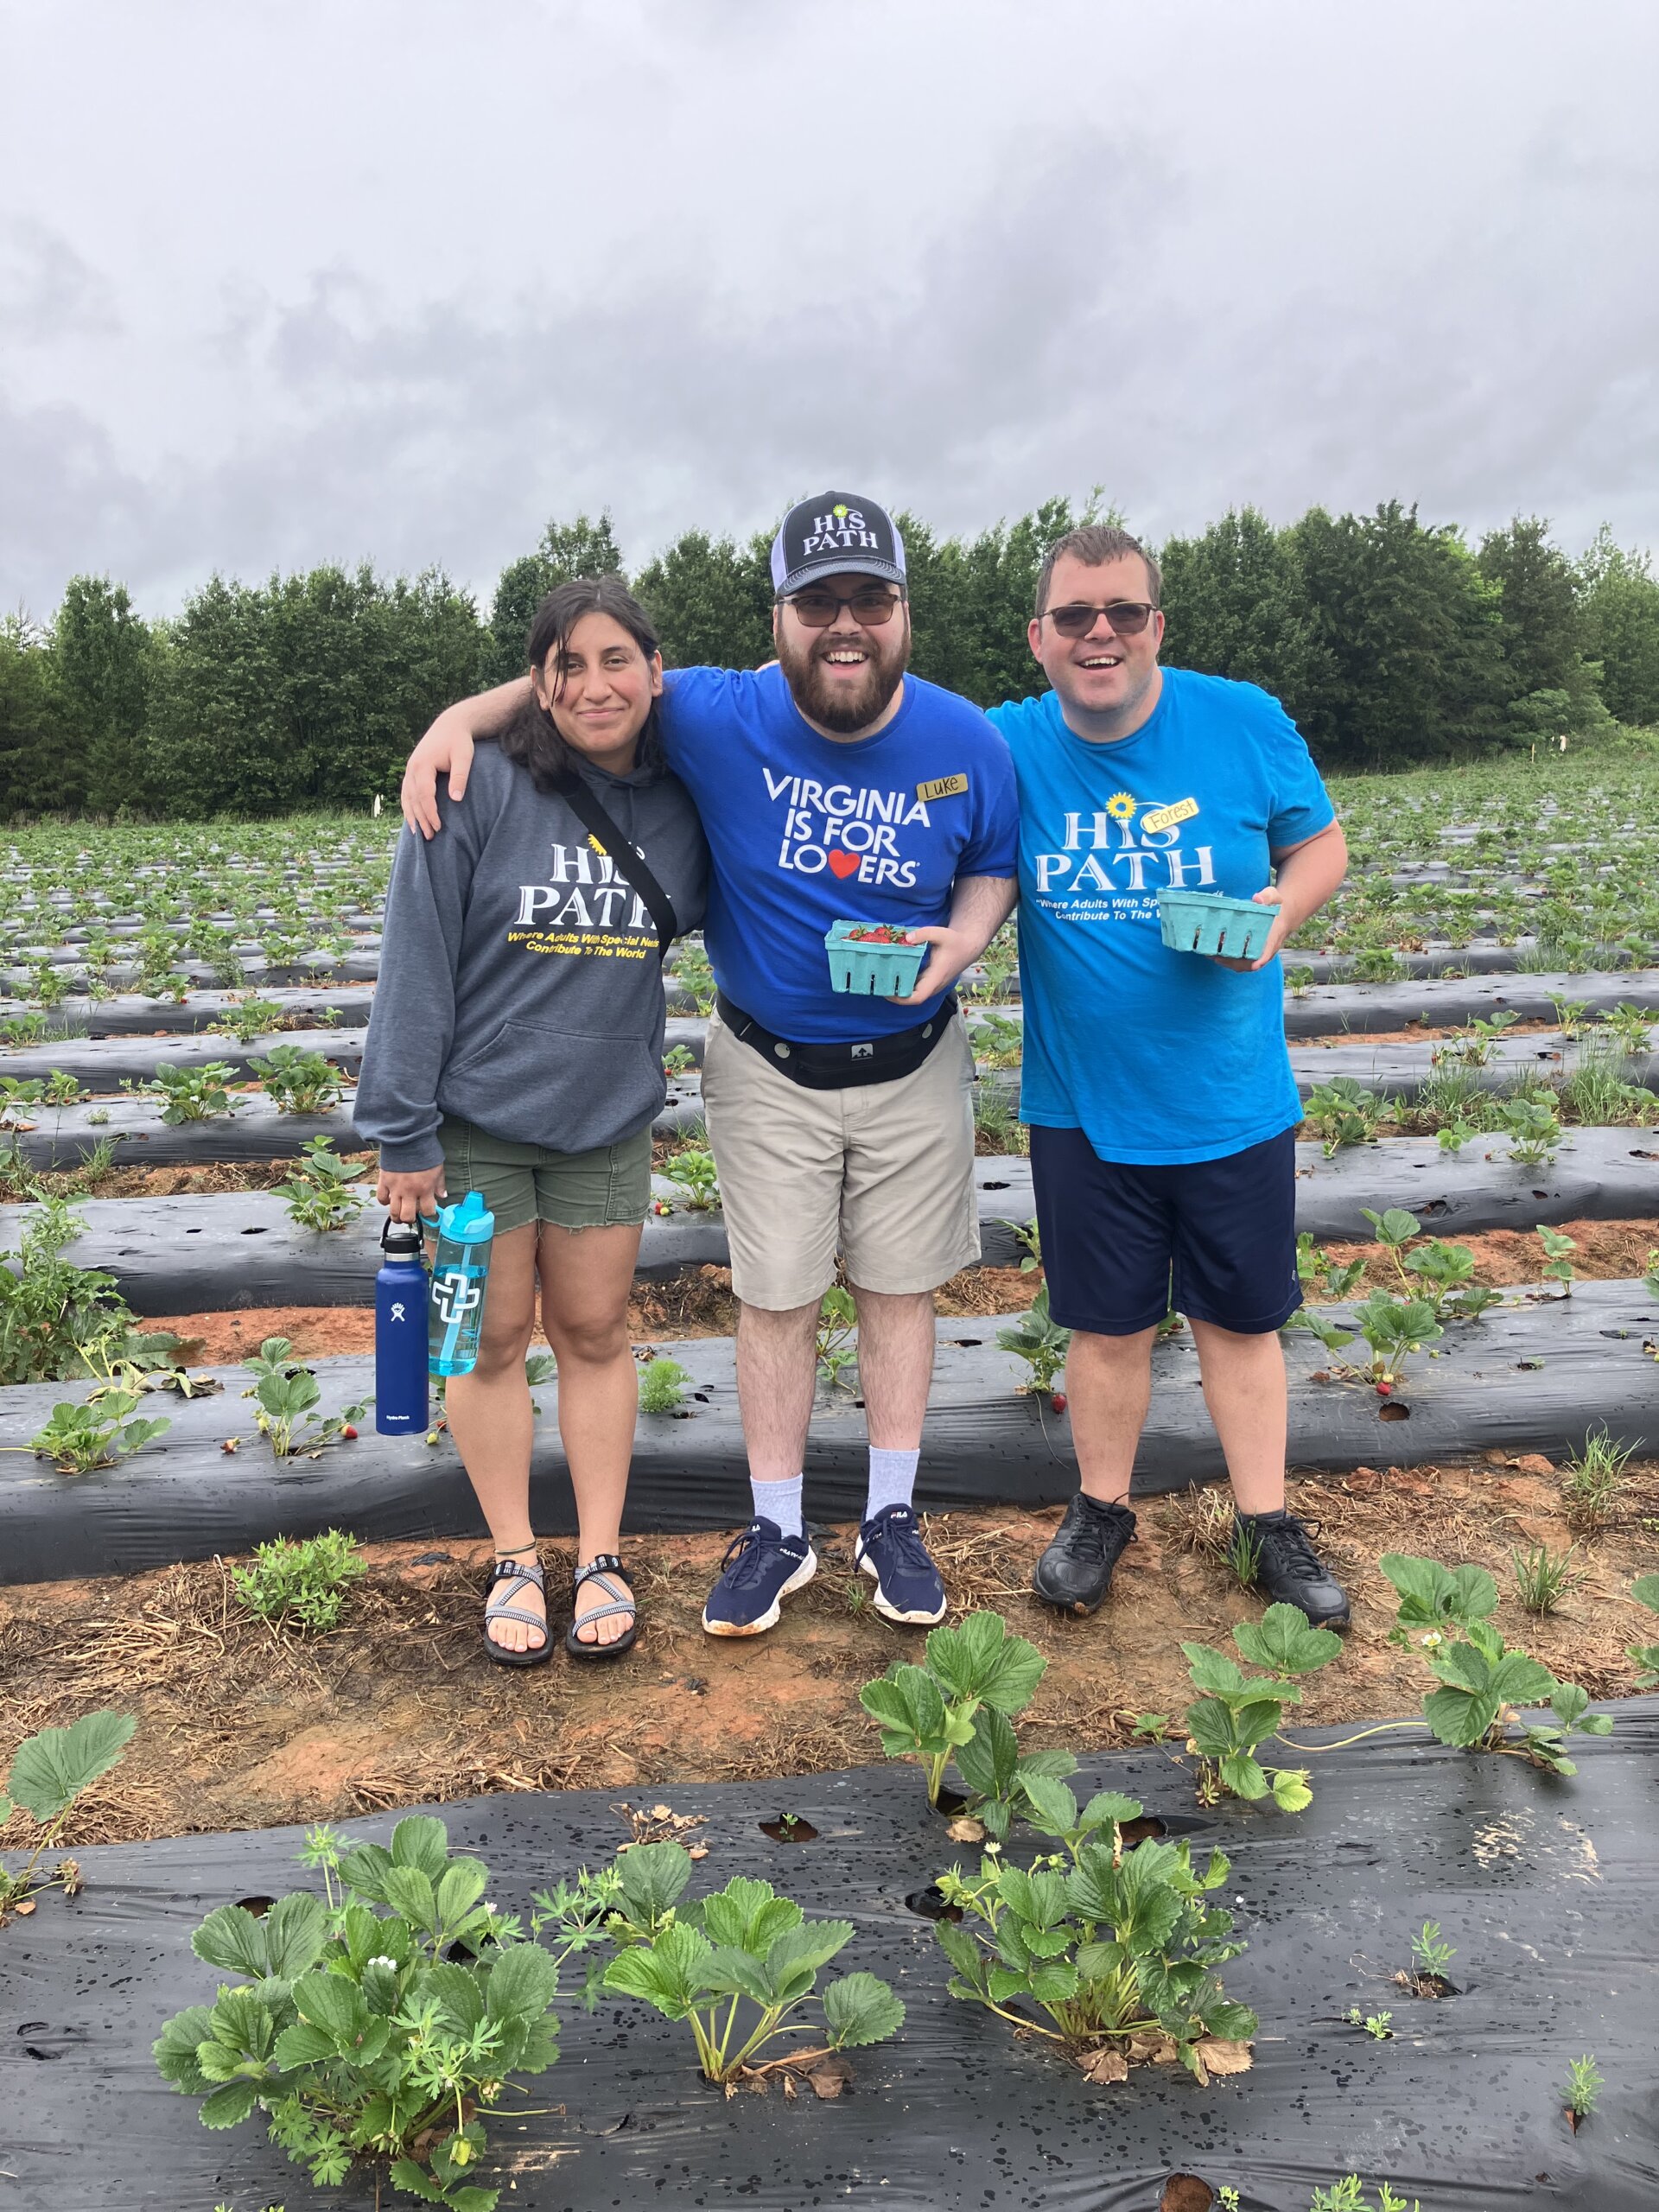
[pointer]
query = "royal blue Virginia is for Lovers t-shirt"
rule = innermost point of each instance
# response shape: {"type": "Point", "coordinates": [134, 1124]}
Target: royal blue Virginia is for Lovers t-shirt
{"type": "Point", "coordinates": [806, 831]}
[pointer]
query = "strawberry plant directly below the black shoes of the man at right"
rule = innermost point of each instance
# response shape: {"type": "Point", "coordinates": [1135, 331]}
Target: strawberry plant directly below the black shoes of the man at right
{"type": "Point", "coordinates": [1238, 1713]}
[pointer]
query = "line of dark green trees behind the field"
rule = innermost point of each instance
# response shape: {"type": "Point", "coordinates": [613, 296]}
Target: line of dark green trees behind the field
{"type": "Point", "coordinates": [1390, 643]}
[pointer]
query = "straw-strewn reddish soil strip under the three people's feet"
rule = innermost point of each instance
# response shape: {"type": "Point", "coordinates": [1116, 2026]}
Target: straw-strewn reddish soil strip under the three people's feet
{"type": "Point", "coordinates": [249, 1726]}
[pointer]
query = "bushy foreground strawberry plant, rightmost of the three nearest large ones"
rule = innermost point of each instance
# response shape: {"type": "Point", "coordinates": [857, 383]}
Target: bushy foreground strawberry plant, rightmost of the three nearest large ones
{"type": "Point", "coordinates": [1105, 1952]}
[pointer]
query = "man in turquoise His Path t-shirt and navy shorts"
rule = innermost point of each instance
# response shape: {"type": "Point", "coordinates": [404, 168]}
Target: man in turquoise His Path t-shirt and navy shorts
{"type": "Point", "coordinates": [1158, 1083]}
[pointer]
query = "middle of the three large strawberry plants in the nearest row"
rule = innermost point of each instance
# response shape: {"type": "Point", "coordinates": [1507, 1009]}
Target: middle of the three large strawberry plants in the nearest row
{"type": "Point", "coordinates": [740, 1948]}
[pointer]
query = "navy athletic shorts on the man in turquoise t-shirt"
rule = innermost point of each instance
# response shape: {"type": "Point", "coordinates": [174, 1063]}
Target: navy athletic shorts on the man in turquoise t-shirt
{"type": "Point", "coordinates": [1211, 1238]}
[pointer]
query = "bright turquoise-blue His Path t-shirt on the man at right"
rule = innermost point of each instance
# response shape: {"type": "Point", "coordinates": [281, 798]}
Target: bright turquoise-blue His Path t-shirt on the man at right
{"type": "Point", "coordinates": [1156, 1056]}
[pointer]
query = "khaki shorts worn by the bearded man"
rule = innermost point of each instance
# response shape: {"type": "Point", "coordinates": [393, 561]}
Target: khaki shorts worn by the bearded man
{"type": "Point", "coordinates": [881, 1173]}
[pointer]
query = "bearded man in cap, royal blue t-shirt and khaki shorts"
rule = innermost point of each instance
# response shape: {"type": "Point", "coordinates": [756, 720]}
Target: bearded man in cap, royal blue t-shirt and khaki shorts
{"type": "Point", "coordinates": [833, 786]}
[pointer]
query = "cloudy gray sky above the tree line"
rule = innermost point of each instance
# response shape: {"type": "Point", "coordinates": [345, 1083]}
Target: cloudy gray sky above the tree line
{"type": "Point", "coordinates": [337, 280]}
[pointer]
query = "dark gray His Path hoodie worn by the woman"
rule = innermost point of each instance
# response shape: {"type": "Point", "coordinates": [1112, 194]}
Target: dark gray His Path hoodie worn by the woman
{"type": "Point", "coordinates": [519, 970]}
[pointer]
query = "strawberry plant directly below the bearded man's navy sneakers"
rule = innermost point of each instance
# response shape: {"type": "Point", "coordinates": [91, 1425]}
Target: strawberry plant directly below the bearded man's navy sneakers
{"type": "Point", "coordinates": [959, 1707]}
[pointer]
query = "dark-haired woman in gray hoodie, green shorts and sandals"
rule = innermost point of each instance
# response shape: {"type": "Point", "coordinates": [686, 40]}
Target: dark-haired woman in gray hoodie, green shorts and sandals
{"type": "Point", "coordinates": [517, 1050]}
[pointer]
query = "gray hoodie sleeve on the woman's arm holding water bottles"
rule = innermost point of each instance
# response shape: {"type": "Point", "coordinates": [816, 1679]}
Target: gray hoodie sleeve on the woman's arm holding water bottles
{"type": "Point", "coordinates": [415, 999]}
